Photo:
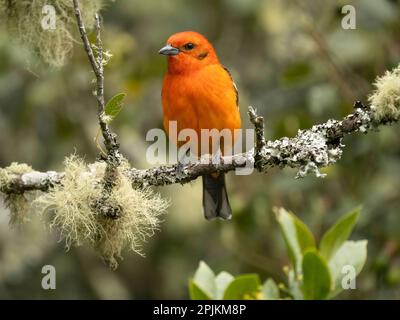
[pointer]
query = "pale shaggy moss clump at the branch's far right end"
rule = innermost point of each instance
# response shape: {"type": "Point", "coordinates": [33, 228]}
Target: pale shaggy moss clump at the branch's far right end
{"type": "Point", "coordinates": [386, 97]}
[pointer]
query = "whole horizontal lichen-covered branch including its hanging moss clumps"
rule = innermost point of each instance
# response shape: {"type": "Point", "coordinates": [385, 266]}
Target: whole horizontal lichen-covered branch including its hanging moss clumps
{"type": "Point", "coordinates": [80, 198]}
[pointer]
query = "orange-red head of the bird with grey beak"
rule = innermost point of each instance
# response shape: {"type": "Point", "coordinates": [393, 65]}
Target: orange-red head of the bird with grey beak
{"type": "Point", "coordinates": [188, 51]}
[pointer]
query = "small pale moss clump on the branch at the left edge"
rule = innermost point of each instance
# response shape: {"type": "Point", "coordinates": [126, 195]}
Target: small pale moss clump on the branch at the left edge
{"type": "Point", "coordinates": [18, 204]}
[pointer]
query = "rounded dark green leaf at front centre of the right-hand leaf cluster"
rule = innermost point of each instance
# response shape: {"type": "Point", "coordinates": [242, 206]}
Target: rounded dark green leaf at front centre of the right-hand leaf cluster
{"type": "Point", "coordinates": [316, 276]}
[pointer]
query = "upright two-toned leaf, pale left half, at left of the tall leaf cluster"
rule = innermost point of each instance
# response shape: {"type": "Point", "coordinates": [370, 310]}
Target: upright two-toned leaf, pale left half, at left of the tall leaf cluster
{"type": "Point", "coordinates": [298, 237]}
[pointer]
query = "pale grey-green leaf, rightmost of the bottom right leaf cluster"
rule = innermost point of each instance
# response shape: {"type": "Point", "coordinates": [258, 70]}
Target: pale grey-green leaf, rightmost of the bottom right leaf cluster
{"type": "Point", "coordinates": [351, 253]}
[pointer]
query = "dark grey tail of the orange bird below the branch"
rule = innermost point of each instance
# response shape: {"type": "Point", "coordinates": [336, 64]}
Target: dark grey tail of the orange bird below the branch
{"type": "Point", "coordinates": [215, 198]}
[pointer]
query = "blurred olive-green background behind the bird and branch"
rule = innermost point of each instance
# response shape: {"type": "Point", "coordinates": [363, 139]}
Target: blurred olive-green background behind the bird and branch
{"type": "Point", "coordinates": [290, 59]}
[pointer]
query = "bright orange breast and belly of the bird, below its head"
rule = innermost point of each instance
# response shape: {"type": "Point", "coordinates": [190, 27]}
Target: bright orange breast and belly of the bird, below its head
{"type": "Point", "coordinates": [205, 99]}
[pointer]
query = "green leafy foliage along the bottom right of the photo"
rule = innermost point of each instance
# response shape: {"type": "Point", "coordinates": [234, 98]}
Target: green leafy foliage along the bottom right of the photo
{"type": "Point", "coordinates": [313, 275]}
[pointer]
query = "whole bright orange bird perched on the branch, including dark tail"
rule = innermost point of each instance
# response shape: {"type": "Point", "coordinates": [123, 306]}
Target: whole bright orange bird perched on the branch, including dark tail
{"type": "Point", "coordinates": [199, 93]}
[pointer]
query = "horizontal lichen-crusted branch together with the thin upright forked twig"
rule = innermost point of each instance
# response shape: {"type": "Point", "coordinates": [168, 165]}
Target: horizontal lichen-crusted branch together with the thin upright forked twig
{"type": "Point", "coordinates": [308, 151]}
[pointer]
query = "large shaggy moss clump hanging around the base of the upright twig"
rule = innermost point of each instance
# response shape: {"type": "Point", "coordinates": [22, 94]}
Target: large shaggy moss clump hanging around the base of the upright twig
{"type": "Point", "coordinates": [72, 208]}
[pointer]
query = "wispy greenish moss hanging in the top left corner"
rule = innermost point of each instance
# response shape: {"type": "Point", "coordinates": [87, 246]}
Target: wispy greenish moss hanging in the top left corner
{"type": "Point", "coordinates": [54, 46]}
